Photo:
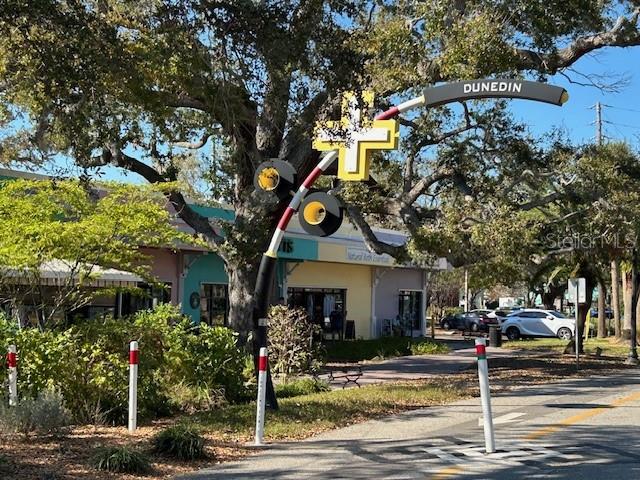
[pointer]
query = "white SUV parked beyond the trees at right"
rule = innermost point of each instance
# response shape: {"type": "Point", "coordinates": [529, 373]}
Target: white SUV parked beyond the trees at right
{"type": "Point", "coordinates": [532, 322]}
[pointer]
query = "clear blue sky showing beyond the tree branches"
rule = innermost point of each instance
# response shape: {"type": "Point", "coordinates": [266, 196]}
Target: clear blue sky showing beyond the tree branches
{"type": "Point", "coordinates": [620, 110]}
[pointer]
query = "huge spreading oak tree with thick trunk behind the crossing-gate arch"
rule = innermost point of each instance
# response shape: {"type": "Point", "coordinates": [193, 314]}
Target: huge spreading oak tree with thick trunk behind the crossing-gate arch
{"type": "Point", "coordinates": [166, 88]}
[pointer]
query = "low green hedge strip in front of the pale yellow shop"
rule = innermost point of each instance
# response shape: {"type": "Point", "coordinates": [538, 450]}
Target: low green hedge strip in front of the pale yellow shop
{"type": "Point", "coordinates": [380, 348]}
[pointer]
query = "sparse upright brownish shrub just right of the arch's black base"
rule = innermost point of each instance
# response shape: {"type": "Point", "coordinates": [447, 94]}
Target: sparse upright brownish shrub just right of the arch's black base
{"type": "Point", "coordinates": [292, 348]}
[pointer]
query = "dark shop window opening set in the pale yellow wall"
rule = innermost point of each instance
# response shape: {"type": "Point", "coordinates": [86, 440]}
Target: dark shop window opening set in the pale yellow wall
{"type": "Point", "coordinates": [320, 303]}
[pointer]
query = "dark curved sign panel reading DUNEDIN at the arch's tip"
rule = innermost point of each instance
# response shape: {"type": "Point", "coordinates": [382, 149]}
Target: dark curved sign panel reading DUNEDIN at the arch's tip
{"type": "Point", "coordinates": [496, 88]}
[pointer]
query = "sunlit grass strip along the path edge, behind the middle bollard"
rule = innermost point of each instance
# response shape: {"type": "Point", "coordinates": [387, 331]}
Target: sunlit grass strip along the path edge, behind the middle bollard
{"type": "Point", "coordinates": [304, 416]}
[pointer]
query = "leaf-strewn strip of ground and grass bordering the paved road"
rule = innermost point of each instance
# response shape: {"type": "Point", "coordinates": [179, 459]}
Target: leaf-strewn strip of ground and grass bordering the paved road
{"type": "Point", "coordinates": [229, 429]}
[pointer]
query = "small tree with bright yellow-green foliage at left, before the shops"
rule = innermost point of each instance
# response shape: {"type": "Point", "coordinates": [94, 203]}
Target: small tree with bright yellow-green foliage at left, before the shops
{"type": "Point", "coordinates": [67, 227]}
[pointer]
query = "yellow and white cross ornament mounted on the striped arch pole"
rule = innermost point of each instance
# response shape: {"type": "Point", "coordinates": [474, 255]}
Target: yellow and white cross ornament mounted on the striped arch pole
{"type": "Point", "coordinates": [356, 137]}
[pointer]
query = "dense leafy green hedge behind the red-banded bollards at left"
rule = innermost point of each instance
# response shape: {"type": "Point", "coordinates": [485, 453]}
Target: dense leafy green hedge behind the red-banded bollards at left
{"type": "Point", "coordinates": [88, 363]}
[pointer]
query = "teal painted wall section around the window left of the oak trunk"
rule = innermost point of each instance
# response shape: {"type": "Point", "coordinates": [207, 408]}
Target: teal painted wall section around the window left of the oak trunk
{"type": "Point", "coordinates": [207, 268]}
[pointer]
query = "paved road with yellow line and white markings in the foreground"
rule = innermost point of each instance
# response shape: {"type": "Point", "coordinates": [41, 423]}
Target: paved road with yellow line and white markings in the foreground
{"type": "Point", "coordinates": [575, 429]}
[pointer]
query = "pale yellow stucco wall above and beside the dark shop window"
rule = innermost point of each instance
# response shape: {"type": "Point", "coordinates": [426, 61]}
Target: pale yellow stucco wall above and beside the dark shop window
{"type": "Point", "coordinates": [356, 279]}
